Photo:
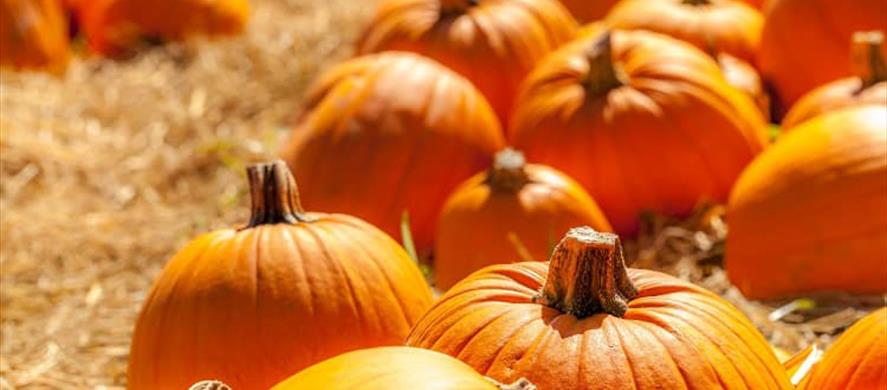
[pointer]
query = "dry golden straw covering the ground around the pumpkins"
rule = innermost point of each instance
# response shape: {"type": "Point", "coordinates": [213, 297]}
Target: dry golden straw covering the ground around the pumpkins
{"type": "Point", "coordinates": [107, 171]}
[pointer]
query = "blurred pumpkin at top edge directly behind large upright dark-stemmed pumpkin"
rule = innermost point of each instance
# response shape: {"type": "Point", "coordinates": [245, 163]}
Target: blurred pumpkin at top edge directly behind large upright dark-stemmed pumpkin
{"type": "Point", "coordinates": [727, 26]}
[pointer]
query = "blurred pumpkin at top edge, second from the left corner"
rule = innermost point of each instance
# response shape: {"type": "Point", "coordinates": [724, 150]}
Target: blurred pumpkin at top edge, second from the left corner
{"type": "Point", "coordinates": [116, 27]}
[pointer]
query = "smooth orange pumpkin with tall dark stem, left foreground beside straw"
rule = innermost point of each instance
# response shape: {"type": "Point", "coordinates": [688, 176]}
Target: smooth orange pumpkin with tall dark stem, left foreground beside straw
{"type": "Point", "coordinates": [249, 306]}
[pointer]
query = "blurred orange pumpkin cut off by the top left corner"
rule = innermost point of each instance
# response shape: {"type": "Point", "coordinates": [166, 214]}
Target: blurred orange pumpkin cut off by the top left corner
{"type": "Point", "coordinates": [33, 35]}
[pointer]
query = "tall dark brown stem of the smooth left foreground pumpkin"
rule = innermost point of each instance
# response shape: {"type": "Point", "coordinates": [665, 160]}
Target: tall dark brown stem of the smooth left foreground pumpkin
{"type": "Point", "coordinates": [275, 195]}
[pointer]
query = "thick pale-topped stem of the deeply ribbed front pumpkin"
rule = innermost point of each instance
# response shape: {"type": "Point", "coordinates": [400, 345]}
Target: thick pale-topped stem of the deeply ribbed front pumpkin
{"type": "Point", "coordinates": [587, 275]}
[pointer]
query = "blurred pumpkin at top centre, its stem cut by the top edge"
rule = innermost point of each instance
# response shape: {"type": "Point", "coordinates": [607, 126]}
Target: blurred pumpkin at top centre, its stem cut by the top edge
{"type": "Point", "coordinates": [493, 43]}
